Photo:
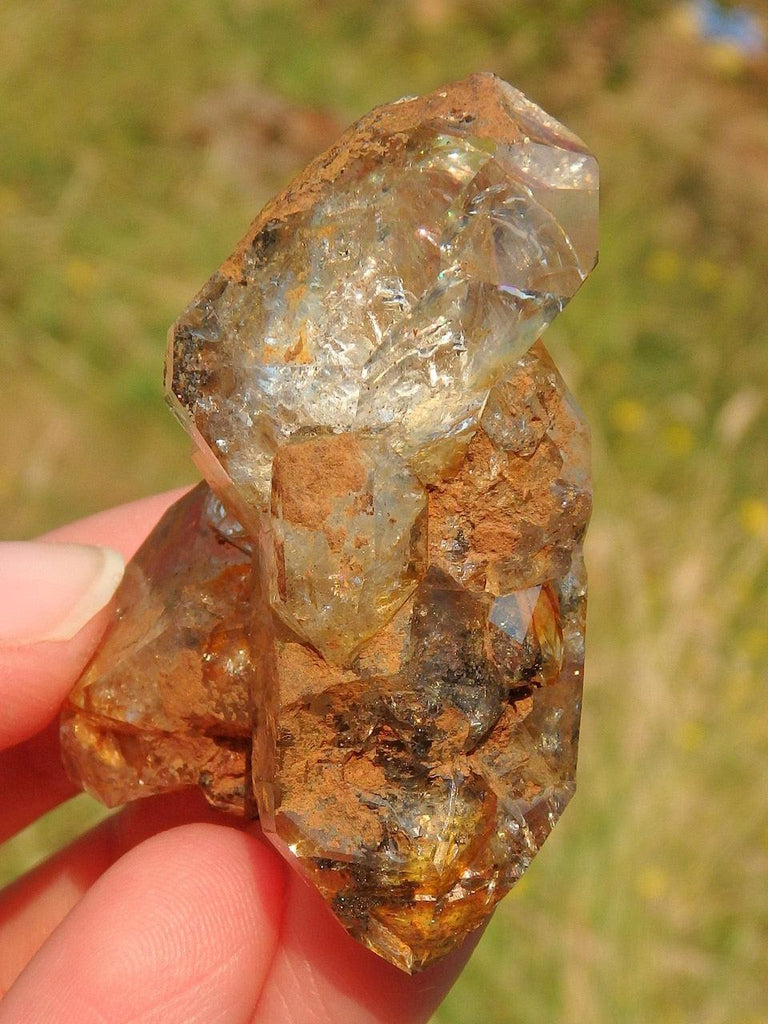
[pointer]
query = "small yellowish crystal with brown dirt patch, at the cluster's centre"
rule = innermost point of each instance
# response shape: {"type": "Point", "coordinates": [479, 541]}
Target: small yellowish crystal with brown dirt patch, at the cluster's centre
{"type": "Point", "coordinates": [350, 524]}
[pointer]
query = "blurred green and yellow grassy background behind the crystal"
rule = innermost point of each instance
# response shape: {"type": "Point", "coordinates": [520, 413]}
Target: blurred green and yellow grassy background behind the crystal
{"type": "Point", "coordinates": [138, 142]}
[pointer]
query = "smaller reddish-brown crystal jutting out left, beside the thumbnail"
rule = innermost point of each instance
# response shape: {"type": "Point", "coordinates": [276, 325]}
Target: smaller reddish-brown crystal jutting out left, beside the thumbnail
{"type": "Point", "coordinates": [164, 702]}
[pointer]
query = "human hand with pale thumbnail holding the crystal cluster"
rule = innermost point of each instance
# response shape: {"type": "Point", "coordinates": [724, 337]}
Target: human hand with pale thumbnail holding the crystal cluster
{"type": "Point", "coordinates": [169, 911]}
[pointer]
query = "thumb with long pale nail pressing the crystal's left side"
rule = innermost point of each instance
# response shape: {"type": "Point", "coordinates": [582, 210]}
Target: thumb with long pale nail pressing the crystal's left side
{"type": "Point", "coordinates": [51, 596]}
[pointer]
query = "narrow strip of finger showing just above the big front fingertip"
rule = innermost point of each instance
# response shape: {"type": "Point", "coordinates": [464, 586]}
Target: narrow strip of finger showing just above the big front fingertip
{"type": "Point", "coordinates": [36, 905]}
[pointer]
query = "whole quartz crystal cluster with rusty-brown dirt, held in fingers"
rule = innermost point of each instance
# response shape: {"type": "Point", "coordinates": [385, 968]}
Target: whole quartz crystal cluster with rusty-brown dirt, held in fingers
{"type": "Point", "coordinates": [367, 627]}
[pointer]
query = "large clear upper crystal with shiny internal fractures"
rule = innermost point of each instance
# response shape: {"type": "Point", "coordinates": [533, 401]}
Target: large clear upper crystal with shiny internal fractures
{"type": "Point", "coordinates": [406, 273]}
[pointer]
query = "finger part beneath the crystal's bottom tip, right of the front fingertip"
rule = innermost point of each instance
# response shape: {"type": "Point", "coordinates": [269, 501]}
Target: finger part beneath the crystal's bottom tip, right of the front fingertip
{"type": "Point", "coordinates": [322, 976]}
